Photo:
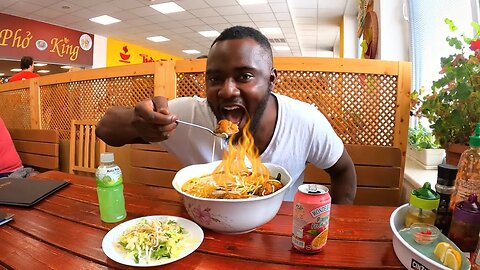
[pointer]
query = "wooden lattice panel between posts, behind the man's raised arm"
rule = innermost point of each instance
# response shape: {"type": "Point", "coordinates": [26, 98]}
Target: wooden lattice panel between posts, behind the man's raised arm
{"type": "Point", "coordinates": [89, 100]}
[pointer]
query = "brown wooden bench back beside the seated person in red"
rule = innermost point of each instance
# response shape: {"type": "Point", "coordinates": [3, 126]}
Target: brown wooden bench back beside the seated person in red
{"type": "Point", "coordinates": [37, 148]}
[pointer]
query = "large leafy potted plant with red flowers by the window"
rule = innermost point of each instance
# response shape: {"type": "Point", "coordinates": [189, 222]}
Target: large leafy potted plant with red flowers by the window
{"type": "Point", "coordinates": [453, 107]}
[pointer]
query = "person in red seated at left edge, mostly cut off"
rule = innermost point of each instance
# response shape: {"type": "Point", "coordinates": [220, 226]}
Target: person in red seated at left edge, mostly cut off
{"type": "Point", "coordinates": [9, 160]}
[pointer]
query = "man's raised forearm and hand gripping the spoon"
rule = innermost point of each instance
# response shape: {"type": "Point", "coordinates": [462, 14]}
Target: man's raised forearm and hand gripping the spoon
{"type": "Point", "coordinates": [149, 121]}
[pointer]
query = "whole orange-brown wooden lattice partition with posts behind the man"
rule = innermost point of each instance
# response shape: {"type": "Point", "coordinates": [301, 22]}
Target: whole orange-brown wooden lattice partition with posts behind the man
{"type": "Point", "coordinates": [366, 101]}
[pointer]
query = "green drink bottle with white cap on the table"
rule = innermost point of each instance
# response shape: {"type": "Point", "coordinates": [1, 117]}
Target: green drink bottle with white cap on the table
{"type": "Point", "coordinates": [110, 189]}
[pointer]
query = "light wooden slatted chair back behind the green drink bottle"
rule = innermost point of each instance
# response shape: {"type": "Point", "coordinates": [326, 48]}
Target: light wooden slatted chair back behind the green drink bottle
{"type": "Point", "coordinates": [83, 146]}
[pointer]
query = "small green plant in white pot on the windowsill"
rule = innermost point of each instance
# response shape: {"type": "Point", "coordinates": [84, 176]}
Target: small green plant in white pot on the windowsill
{"type": "Point", "coordinates": [423, 148]}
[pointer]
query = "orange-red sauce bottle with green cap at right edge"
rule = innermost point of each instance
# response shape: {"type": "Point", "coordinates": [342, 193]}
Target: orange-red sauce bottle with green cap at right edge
{"type": "Point", "coordinates": [468, 176]}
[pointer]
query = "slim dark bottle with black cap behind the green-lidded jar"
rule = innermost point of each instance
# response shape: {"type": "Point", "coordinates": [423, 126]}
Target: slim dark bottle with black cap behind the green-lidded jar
{"type": "Point", "coordinates": [445, 186]}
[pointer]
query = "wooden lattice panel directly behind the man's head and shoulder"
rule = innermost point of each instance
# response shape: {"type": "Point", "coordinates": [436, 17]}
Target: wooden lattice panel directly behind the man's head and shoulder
{"type": "Point", "coordinates": [360, 107]}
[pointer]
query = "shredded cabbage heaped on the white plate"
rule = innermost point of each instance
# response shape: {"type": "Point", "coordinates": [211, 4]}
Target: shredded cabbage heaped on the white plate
{"type": "Point", "coordinates": [151, 240]}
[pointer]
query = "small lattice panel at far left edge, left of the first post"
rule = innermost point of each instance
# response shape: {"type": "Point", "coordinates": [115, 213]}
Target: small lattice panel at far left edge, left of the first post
{"type": "Point", "coordinates": [15, 108]}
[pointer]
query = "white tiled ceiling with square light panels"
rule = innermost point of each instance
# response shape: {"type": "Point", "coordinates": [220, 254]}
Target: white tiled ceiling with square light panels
{"type": "Point", "coordinates": [309, 27]}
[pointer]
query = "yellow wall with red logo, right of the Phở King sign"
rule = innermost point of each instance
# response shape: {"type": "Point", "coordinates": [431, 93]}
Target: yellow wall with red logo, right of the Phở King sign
{"type": "Point", "coordinates": [132, 54]}
